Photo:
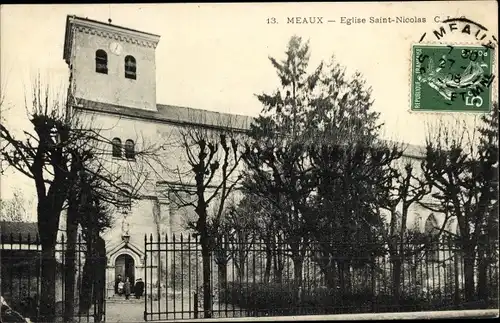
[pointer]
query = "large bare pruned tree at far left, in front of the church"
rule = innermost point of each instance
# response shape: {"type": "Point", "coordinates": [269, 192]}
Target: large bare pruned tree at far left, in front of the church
{"type": "Point", "coordinates": [59, 147]}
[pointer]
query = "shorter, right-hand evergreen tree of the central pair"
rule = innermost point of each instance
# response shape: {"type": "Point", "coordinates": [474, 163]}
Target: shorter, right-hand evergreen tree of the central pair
{"type": "Point", "coordinates": [348, 160]}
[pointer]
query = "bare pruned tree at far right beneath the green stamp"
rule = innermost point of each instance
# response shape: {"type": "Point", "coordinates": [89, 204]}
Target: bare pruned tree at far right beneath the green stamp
{"type": "Point", "coordinates": [463, 173]}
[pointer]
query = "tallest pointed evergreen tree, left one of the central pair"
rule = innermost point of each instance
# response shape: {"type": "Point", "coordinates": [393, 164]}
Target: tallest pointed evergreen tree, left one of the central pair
{"type": "Point", "coordinates": [276, 160]}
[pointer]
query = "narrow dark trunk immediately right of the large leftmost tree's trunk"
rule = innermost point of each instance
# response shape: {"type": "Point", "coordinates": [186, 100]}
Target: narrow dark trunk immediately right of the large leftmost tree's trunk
{"type": "Point", "coordinates": [70, 267]}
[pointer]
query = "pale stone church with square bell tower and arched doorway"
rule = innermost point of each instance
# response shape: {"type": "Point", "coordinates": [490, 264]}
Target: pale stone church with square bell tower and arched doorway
{"type": "Point", "coordinates": [113, 88]}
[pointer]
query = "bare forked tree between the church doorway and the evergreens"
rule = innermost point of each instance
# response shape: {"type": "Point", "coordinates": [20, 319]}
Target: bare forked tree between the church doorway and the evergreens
{"type": "Point", "coordinates": [206, 172]}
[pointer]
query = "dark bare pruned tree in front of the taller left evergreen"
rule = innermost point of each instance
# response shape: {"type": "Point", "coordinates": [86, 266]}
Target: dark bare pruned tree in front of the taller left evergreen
{"type": "Point", "coordinates": [282, 175]}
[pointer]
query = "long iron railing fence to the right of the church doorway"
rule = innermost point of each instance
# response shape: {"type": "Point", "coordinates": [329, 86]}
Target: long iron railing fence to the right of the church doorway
{"type": "Point", "coordinates": [266, 278]}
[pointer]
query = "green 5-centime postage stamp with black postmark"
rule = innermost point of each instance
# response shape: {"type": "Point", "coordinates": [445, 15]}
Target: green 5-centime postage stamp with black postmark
{"type": "Point", "coordinates": [451, 78]}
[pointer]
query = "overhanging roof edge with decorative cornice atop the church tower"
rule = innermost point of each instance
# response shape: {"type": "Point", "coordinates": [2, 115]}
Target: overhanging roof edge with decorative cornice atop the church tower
{"type": "Point", "coordinates": [106, 30]}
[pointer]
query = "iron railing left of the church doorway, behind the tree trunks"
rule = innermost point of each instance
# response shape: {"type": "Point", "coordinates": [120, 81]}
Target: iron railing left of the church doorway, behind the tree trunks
{"type": "Point", "coordinates": [20, 279]}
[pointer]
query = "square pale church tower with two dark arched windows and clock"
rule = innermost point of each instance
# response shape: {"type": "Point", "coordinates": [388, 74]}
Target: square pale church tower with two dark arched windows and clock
{"type": "Point", "coordinates": [111, 64]}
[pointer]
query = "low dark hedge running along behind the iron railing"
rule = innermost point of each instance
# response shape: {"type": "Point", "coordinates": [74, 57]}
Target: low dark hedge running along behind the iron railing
{"type": "Point", "coordinates": [281, 299]}
